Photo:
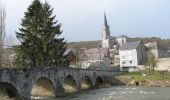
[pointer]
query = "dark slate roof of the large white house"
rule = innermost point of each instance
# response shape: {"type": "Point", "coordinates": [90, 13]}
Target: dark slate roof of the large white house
{"type": "Point", "coordinates": [130, 45]}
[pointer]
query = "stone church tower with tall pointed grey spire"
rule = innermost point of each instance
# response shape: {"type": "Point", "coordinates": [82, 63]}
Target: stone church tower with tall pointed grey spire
{"type": "Point", "coordinates": [105, 34]}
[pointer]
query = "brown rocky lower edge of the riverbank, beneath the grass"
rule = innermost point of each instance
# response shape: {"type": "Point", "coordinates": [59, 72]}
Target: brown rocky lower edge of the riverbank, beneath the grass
{"type": "Point", "coordinates": [129, 81]}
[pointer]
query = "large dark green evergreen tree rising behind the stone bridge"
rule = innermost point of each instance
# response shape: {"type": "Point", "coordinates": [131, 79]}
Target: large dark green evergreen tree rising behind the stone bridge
{"type": "Point", "coordinates": [39, 37]}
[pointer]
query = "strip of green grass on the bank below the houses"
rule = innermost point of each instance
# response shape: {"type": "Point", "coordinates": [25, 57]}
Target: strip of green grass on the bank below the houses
{"type": "Point", "coordinates": [155, 76]}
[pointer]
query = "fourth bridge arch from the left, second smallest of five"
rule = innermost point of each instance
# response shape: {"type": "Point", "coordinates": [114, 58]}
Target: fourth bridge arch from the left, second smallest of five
{"type": "Point", "coordinates": [85, 83]}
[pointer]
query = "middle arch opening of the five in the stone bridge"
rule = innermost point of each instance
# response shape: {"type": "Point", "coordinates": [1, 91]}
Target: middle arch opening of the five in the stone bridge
{"type": "Point", "coordinates": [69, 84]}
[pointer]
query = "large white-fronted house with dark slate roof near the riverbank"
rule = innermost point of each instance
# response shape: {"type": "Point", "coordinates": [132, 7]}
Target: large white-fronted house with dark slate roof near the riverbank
{"type": "Point", "coordinates": [131, 56]}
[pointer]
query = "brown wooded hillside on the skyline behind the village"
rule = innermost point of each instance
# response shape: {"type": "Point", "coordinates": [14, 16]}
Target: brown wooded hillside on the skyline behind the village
{"type": "Point", "coordinates": [94, 44]}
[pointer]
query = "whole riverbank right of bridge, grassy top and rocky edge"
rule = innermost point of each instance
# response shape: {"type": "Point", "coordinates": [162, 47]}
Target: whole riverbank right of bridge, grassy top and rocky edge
{"type": "Point", "coordinates": [136, 79]}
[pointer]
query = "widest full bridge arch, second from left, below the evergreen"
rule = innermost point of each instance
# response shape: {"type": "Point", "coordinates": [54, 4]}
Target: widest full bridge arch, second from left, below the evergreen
{"type": "Point", "coordinates": [43, 87]}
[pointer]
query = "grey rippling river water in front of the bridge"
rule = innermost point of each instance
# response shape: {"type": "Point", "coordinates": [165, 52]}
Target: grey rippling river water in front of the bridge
{"type": "Point", "coordinates": [121, 93]}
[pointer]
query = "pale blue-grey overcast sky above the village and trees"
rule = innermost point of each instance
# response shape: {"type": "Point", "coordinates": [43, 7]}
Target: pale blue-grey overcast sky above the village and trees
{"type": "Point", "coordinates": [83, 19]}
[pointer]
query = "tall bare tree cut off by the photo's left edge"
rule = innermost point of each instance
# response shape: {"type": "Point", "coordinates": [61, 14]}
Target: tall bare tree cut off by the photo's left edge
{"type": "Point", "coordinates": [2, 30]}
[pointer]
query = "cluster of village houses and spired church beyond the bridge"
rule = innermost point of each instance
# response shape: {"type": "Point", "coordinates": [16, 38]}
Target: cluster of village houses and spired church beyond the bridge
{"type": "Point", "coordinates": [117, 53]}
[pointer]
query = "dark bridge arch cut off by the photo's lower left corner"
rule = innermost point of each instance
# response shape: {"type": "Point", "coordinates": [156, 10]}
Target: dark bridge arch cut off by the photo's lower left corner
{"type": "Point", "coordinates": [8, 91]}
